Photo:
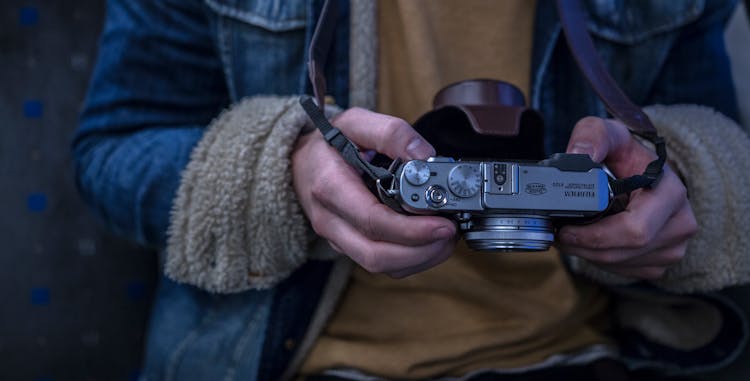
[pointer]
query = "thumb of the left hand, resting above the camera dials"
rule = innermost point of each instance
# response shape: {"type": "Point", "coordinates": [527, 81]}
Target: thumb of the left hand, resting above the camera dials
{"type": "Point", "coordinates": [384, 133]}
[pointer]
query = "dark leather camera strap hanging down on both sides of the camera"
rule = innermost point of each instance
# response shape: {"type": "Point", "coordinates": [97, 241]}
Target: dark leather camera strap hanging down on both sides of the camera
{"type": "Point", "coordinates": [579, 41]}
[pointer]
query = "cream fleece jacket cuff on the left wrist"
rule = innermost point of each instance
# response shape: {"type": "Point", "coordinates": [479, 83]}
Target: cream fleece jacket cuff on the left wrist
{"type": "Point", "coordinates": [236, 223]}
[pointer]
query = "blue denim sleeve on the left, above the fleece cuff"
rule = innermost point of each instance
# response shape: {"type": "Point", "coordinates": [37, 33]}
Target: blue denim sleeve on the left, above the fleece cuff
{"type": "Point", "coordinates": [157, 83]}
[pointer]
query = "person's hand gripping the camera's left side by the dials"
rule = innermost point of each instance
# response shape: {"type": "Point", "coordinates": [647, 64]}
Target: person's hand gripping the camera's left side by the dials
{"type": "Point", "coordinates": [343, 211]}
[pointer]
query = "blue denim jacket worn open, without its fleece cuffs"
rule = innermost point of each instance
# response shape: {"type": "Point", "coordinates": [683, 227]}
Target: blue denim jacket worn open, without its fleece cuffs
{"type": "Point", "coordinates": [166, 68]}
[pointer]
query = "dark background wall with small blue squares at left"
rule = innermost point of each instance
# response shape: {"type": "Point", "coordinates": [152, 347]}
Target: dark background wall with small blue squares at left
{"type": "Point", "coordinates": [73, 300]}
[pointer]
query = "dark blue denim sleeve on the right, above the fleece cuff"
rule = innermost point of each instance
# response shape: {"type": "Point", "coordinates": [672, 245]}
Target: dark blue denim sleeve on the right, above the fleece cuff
{"type": "Point", "coordinates": [697, 68]}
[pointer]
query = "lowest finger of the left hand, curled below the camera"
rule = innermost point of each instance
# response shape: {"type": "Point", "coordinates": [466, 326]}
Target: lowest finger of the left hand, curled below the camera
{"type": "Point", "coordinates": [384, 257]}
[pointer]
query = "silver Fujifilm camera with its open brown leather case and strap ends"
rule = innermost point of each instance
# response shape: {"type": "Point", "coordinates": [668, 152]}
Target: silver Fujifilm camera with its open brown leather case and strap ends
{"type": "Point", "coordinates": [509, 203]}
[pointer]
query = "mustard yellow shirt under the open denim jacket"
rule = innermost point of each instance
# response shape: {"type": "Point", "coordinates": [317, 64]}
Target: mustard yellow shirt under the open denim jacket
{"type": "Point", "coordinates": [477, 310]}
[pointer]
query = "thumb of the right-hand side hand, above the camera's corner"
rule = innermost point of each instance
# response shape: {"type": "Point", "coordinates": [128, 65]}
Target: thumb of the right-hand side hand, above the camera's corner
{"type": "Point", "coordinates": [610, 139]}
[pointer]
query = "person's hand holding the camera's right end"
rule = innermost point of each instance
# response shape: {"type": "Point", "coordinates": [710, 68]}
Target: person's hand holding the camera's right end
{"type": "Point", "coordinates": [652, 233]}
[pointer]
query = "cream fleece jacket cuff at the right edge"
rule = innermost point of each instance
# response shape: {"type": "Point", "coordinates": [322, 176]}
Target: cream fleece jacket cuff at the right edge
{"type": "Point", "coordinates": [713, 154]}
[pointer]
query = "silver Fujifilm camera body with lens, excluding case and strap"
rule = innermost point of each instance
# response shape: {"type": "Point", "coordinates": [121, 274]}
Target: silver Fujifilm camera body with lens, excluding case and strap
{"type": "Point", "coordinates": [505, 205]}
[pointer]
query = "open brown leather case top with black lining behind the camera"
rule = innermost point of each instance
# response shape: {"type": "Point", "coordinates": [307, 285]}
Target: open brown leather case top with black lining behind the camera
{"type": "Point", "coordinates": [483, 119]}
